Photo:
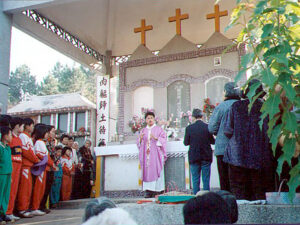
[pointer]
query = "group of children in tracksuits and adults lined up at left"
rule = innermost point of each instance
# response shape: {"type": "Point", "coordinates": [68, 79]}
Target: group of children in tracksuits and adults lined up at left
{"type": "Point", "coordinates": [37, 171]}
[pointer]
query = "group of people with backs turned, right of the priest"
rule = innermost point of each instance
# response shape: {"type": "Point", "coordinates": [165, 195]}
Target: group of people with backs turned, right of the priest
{"type": "Point", "coordinates": [246, 164]}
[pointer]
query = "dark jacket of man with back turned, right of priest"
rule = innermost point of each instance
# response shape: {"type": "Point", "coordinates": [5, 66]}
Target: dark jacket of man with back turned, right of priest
{"type": "Point", "coordinates": [199, 139]}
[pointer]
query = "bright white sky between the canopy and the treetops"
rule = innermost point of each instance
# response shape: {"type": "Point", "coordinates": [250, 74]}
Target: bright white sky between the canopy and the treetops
{"type": "Point", "coordinates": [37, 56]}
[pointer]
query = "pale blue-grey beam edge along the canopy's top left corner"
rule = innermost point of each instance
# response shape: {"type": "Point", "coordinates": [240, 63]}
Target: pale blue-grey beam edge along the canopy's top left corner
{"type": "Point", "coordinates": [15, 6]}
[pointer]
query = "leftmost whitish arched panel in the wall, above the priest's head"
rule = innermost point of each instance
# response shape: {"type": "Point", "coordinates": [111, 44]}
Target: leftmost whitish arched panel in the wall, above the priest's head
{"type": "Point", "coordinates": [142, 98]}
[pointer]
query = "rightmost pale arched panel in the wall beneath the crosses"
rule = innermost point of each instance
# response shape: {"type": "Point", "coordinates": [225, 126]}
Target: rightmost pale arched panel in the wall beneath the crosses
{"type": "Point", "coordinates": [214, 89]}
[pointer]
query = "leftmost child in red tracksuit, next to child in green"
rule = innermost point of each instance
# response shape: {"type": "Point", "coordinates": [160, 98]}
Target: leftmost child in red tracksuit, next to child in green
{"type": "Point", "coordinates": [17, 126]}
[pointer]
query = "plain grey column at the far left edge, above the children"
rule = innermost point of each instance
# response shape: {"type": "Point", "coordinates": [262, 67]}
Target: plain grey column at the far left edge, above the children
{"type": "Point", "coordinates": [5, 39]}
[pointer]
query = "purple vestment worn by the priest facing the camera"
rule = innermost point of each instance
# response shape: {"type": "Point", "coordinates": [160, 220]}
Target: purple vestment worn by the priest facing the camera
{"type": "Point", "coordinates": [153, 164]}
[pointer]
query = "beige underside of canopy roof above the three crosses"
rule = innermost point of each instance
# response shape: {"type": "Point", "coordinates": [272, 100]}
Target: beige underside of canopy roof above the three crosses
{"type": "Point", "coordinates": [109, 24]}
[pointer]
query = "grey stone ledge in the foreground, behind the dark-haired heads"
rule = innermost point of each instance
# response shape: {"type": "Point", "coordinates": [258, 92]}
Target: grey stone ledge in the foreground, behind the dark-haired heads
{"type": "Point", "coordinates": [152, 213]}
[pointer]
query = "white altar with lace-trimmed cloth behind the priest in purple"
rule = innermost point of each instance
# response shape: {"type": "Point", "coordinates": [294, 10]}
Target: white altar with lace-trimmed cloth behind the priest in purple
{"type": "Point", "coordinates": [120, 170]}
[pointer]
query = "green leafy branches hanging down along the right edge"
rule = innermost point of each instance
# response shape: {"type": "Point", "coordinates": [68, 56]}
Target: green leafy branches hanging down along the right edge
{"type": "Point", "coordinates": [272, 37]}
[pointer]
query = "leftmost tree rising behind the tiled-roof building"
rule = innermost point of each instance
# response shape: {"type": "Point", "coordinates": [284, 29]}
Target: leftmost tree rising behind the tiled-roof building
{"type": "Point", "coordinates": [21, 82]}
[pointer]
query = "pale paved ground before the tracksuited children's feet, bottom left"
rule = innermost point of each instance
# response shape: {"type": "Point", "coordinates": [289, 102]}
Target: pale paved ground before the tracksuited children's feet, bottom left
{"type": "Point", "coordinates": [56, 217]}
